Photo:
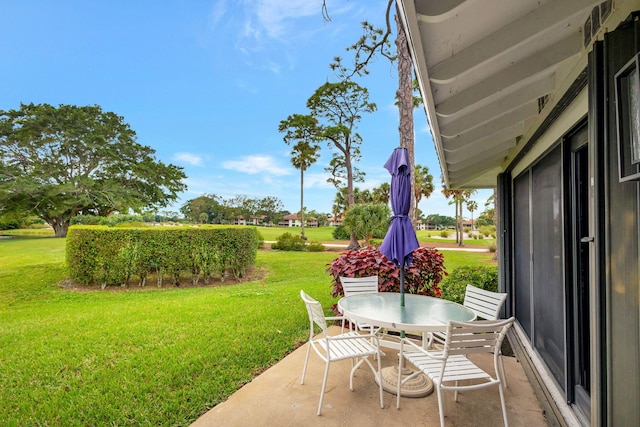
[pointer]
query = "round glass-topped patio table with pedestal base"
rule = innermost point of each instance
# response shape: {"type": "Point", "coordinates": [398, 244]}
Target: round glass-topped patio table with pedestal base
{"type": "Point", "coordinates": [420, 314]}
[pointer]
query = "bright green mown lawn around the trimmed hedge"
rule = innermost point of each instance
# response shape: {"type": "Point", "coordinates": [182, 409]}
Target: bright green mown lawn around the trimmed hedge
{"type": "Point", "coordinates": [146, 356]}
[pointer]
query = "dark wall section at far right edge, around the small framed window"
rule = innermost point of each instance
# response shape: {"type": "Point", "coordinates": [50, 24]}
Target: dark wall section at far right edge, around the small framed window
{"type": "Point", "coordinates": [622, 255]}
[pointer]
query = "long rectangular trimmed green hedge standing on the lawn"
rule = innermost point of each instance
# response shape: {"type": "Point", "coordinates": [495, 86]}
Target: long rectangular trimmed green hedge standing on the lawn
{"type": "Point", "coordinates": [114, 256]}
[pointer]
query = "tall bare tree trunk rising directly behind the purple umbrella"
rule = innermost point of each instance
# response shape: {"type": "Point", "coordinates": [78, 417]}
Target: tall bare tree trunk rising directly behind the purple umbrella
{"type": "Point", "coordinates": [404, 95]}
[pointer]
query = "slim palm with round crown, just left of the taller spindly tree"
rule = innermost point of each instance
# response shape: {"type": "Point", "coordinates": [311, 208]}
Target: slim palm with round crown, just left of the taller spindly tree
{"type": "Point", "coordinates": [301, 131]}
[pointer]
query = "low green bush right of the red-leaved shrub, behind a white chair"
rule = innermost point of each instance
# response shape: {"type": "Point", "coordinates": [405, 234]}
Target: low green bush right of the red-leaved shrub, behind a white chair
{"type": "Point", "coordinates": [481, 276]}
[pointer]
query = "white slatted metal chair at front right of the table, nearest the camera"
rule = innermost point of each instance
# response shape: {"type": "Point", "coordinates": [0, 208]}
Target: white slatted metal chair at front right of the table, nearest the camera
{"type": "Point", "coordinates": [448, 367]}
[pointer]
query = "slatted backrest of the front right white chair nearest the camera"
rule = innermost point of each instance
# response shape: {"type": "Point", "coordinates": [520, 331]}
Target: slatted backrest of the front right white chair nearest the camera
{"type": "Point", "coordinates": [480, 336]}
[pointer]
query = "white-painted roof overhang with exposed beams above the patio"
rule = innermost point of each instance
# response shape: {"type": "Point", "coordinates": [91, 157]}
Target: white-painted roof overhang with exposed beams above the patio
{"type": "Point", "coordinates": [490, 71]}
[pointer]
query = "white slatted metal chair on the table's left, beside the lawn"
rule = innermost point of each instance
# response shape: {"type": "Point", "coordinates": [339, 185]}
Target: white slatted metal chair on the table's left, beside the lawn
{"type": "Point", "coordinates": [351, 345]}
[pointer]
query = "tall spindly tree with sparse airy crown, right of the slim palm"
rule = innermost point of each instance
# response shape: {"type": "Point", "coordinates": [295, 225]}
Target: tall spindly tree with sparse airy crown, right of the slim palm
{"type": "Point", "coordinates": [338, 107]}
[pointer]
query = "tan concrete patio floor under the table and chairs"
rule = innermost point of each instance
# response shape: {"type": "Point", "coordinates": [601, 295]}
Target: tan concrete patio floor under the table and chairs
{"type": "Point", "coordinates": [276, 398]}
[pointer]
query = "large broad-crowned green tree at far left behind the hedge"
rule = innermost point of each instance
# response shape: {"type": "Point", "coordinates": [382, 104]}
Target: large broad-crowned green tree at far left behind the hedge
{"type": "Point", "coordinates": [58, 162]}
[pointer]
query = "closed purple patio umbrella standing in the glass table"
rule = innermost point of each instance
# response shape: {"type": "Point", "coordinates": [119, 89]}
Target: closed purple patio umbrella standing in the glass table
{"type": "Point", "coordinates": [400, 241]}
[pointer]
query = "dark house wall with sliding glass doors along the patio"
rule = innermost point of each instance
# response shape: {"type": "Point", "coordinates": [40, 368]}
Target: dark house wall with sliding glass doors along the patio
{"type": "Point", "coordinates": [541, 248]}
